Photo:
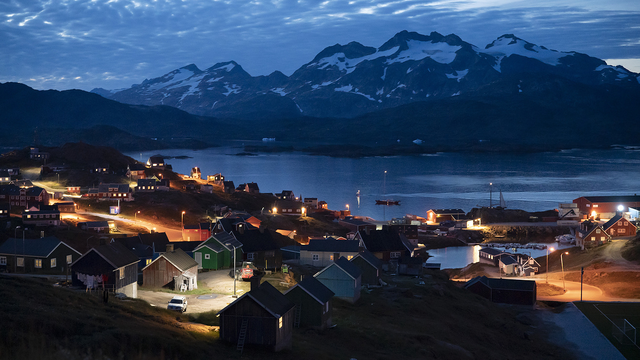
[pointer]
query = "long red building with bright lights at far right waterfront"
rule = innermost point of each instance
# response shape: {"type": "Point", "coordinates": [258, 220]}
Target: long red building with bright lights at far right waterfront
{"type": "Point", "coordinates": [605, 207]}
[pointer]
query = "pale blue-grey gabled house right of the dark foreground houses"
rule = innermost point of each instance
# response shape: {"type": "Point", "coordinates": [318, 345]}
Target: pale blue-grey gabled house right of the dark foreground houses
{"type": "Point", "coordinates": [343, 278]}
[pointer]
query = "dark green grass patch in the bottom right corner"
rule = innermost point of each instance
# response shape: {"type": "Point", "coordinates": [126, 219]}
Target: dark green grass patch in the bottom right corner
{"type": "Point", "coordinates": [630, 311]}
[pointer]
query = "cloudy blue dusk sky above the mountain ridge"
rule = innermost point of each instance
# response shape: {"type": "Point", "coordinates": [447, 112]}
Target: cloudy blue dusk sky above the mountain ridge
{"type": "Point", "coordinates": [83, 44]}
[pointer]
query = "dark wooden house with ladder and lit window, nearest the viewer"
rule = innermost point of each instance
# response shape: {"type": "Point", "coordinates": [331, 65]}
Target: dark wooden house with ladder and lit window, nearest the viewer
{"type": "Point", "coordinates": [261, 317]}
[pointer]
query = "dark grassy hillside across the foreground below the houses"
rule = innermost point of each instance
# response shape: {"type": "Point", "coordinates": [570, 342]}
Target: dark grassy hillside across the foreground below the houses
{"type": "Point", "coordinates": [407, 319]}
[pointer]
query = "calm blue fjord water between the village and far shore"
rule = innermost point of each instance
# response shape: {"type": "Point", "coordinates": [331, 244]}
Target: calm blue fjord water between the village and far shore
{"type": "Point", "coordinates": [532, 182]}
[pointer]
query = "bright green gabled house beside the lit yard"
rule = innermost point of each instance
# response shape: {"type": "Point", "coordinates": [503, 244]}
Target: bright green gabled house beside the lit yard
{"type": "Point", "coordinates": [217, 252]}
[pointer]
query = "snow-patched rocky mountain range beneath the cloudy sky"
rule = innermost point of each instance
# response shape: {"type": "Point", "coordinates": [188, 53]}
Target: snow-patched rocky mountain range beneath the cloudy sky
{"type": "Point", "coordinates": [353, 79]}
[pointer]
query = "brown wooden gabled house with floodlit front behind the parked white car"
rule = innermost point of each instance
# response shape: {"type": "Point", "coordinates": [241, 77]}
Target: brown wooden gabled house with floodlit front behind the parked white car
{"type": "Point", "coordinates": [173, 269]}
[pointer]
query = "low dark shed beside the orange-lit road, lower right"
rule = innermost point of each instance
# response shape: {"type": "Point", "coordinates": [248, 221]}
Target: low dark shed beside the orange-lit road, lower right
{"type": "Point", "coordinates": [505, 291]}
